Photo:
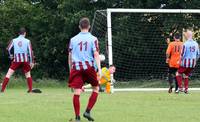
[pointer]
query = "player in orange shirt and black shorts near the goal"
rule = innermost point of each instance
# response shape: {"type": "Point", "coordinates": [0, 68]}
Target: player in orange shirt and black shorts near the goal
{"type": "Point", "coordinates": [173, 55]}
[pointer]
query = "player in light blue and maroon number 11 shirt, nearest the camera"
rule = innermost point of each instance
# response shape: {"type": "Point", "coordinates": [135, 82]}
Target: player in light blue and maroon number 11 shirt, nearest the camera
{"type": "Point", "coordinates": [83, 51]}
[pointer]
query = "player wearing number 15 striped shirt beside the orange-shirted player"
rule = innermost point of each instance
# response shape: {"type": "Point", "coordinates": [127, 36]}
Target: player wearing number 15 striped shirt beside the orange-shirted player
{"type": "Point", "coordinates": [189, 57]}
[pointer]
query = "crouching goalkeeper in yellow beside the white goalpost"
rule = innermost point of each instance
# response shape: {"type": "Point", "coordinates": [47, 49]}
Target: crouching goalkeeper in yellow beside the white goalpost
{"type": "Point", "coordinates": [105, 80]}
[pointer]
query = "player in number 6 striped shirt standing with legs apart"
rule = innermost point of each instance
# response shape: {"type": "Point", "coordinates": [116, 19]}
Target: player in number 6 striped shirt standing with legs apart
{"type": "Point", "coordinates": [23, 58]}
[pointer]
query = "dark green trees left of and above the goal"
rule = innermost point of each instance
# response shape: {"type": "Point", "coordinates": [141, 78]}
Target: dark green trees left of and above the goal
{"type": "Point", "coordinates": [51, 24]}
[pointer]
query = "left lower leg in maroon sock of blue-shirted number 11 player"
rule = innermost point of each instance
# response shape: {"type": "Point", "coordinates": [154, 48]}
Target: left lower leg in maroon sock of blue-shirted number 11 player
{"type": "Point", "coordinates": [76, 103]}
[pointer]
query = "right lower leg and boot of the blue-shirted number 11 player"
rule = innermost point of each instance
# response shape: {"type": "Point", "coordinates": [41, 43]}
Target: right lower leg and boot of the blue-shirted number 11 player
{"type": "Point", "coordinates": [91, 103]}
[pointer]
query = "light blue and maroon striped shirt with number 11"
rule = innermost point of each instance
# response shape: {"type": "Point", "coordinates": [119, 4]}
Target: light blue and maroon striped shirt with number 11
{"type": "Point", "coordinates": [83, 46]}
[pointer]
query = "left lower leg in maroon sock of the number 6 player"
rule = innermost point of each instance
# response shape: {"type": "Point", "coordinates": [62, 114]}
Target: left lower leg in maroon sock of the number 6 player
{"type": "Point", "coordinates": [6, 79]}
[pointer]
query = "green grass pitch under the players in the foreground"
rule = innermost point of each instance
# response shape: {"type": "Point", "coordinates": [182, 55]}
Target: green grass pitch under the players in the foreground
{"type": "Point", "coordinates": [54, 105]}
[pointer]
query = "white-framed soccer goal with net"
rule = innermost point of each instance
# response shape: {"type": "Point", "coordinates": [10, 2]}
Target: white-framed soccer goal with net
{"type": "Point", "coordinates": [134, 40]}
